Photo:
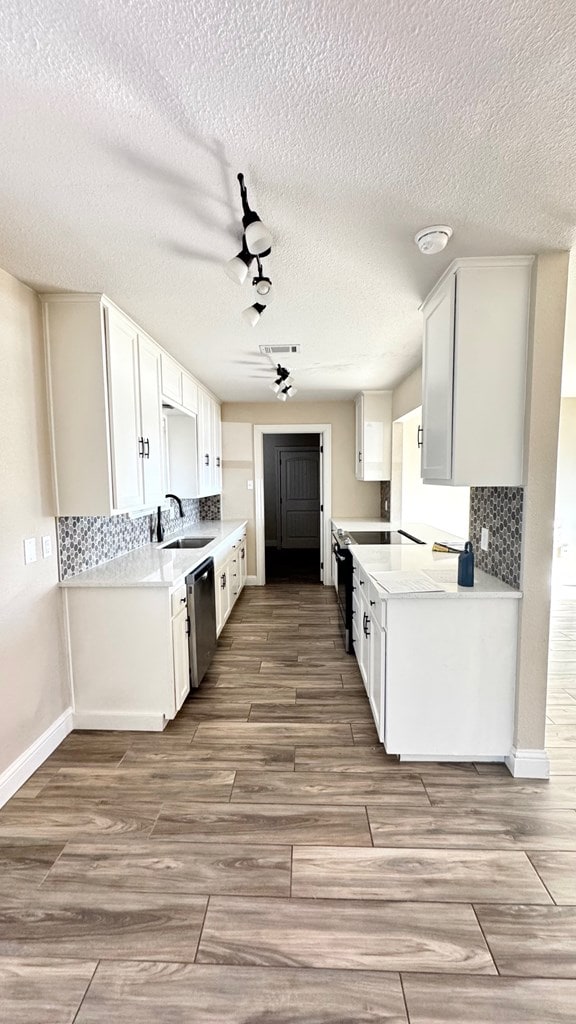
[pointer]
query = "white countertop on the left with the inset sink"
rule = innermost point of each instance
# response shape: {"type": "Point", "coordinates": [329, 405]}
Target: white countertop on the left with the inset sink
{"type": "Point", "coordinates": [154, 566]}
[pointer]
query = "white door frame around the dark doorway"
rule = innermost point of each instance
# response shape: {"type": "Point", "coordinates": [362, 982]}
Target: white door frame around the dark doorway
{"type": "Point", "coordinates": [325, 433]}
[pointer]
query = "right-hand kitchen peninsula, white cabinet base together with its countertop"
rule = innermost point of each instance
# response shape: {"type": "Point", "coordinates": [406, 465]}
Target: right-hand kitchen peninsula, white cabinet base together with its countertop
{"type": "Point", "coordinates": [439, 665]}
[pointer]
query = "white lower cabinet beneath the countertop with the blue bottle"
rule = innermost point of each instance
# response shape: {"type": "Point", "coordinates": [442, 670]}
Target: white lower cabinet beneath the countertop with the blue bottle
{"type": "Point", "coordinates": [440, 673]}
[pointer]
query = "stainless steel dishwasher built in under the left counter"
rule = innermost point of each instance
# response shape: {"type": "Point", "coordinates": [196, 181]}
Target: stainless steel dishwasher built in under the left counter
{"type": "Point", "coordinates": [202, 616]}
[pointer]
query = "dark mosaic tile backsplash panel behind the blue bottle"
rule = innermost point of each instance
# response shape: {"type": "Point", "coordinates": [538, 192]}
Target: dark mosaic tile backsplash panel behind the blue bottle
{"type": "Point", "coordinates": [500, 509]}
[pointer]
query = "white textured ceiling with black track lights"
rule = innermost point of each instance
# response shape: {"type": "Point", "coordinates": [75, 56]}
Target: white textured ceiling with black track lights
{"type": "Point", "coordinates": [356, 122]}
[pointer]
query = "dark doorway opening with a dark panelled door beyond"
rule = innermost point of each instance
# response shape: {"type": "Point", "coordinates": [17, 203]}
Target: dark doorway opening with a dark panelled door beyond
{"type": "Point", "coordinates": [293, 508]}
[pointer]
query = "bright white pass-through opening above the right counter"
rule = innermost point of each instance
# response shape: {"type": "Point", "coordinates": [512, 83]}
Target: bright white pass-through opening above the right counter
{"type": "Point", "coordinates": [446, 508]}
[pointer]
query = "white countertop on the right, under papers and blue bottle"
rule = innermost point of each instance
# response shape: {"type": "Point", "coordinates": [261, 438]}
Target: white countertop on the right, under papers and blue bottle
{"type": "Point", "coordinates": [443, 569]}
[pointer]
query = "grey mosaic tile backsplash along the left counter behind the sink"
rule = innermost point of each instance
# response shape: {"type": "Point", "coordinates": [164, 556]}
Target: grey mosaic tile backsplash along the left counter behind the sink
{"type": "Point", "coordinates": [87, 542]}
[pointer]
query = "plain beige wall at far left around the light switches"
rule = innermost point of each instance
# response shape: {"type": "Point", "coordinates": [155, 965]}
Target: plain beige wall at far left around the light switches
{"type": "Point", "coordinates": [34, 688]}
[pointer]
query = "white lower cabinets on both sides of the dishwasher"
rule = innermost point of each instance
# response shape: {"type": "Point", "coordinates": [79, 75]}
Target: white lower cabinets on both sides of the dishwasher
{"type": "Point", "coordinates": [129, 647]}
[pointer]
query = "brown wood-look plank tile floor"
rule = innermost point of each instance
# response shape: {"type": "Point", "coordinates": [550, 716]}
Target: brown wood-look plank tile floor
{"type": "Point", "coordinates": [264, 862]}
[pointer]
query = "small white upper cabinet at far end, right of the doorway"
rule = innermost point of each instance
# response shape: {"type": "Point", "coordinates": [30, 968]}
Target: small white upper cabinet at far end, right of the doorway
{"type": "Point", "coordinates": [374, 436]}
